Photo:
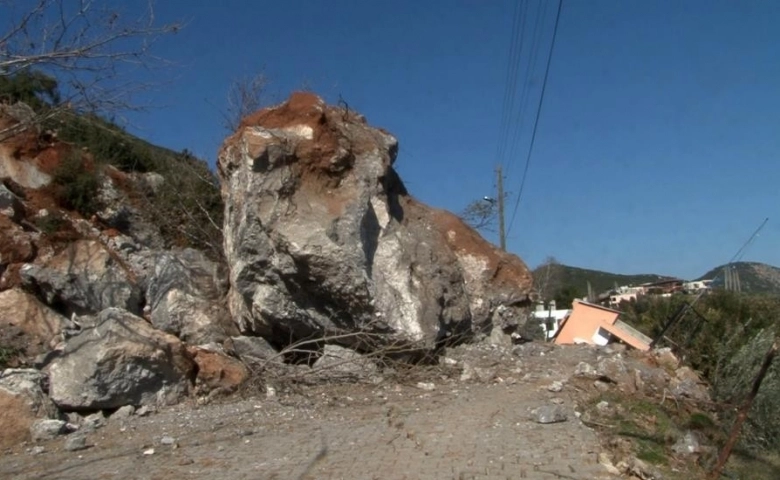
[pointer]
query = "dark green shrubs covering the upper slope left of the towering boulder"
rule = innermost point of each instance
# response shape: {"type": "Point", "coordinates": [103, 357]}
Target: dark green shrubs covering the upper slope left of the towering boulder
{"type": "Point", "coordinates": [187, 208]}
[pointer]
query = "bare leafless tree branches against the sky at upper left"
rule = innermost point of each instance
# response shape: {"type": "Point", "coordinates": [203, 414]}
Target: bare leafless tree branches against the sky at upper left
{"type": "Point", "coordinates": [89, 46]}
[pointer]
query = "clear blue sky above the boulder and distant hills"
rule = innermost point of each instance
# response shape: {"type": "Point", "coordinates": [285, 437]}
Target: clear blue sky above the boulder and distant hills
{"type": "Point", "coordinates": [657, 148]}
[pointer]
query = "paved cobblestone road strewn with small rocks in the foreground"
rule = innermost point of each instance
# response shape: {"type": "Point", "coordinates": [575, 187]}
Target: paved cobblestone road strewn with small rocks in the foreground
{"type": "Point", "coordinates": [457, 431]}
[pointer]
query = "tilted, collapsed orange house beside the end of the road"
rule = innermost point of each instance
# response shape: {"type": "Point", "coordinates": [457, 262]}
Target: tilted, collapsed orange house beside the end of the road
{"type": "Point", "coordinates": [597, 325]}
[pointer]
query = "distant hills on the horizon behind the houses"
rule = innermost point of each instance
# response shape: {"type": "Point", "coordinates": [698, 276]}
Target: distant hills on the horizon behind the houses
{"type": "Point", "coordinates": [552, 278]}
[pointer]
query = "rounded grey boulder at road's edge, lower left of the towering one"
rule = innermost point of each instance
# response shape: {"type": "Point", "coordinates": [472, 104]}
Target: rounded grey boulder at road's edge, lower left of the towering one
{"type": "Point", "coordinates": [123, 360]}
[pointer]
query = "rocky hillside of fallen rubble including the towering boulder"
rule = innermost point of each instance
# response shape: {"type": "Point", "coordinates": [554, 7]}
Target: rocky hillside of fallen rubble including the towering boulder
{"type": "Point", "coordinates": [119, 290]}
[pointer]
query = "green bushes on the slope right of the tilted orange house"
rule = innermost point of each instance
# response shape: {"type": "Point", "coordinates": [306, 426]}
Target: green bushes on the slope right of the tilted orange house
{"type": "Point", "coordinates": [724, 337]}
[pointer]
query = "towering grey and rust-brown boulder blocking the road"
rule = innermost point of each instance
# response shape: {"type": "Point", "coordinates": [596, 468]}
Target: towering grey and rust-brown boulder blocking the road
{"type": "Point", "coordinates": [321, 236]}
